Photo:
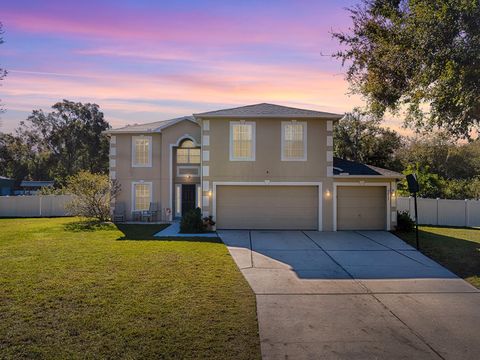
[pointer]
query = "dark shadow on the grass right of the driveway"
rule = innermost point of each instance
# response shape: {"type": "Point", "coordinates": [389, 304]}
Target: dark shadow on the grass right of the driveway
{"type": "Point", "coordinates": [459, 255]}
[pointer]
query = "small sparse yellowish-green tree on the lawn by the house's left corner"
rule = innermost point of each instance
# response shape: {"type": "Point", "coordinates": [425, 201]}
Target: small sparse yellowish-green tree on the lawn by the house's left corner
{"type": "Point", "coordinates": [91, 195]}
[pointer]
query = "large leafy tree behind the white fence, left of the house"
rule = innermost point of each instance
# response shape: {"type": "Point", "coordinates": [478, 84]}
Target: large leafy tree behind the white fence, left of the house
{"type": "Point", "coordinates": [66, 140]}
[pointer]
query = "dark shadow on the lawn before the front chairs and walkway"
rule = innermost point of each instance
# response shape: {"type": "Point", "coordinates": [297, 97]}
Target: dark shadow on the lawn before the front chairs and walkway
{"type": "Point", "coordinates": [147, 231]}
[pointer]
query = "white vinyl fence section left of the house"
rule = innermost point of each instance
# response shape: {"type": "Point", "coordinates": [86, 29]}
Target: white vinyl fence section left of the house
{"type": "Point", "coordinates": [34, 205]}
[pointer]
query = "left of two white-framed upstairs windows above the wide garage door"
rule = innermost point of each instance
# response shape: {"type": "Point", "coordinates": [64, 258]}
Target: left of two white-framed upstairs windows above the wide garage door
{"type": "Point", "coordinates": [242, 141]}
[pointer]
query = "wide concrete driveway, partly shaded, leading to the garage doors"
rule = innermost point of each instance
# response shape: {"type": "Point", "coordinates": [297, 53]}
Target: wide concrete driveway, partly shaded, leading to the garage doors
{"type": "Point", "coordinates": [354, 295]}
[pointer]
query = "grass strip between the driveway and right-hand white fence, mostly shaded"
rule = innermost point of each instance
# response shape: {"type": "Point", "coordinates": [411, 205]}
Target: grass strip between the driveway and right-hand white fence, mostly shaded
{"type": "Point", "coordinates": [458, 249]}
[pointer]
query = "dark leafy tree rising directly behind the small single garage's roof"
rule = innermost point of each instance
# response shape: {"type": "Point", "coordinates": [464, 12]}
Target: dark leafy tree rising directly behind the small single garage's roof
{"type": "Point", "coordinates": [361, 138]}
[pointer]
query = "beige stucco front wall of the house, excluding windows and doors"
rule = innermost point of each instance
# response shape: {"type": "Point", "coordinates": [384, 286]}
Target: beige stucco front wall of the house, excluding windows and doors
{"type": "Point", "coordinates": [268, 164]}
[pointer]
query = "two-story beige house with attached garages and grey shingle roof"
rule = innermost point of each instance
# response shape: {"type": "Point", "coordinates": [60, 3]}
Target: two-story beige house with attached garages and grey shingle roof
{"type": "Point", "coordinates": [260, 166]}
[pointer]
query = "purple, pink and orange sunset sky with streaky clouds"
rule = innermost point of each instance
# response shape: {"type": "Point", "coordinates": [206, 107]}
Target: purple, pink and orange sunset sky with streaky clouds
{"type": "Point", "coordinates": [146, 60]}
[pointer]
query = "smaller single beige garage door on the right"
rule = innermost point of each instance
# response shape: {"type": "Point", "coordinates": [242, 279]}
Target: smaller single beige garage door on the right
{"type": "Point", "coordinates": [361, 208]}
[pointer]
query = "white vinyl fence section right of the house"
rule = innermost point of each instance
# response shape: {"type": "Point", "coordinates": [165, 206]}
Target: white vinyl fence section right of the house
{"type": "Point", "coordinates": [442, 212]}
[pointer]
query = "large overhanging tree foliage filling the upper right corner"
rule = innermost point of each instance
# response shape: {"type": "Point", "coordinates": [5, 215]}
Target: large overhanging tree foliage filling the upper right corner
{"type": "Point", "coordinates": [420, 56]}
